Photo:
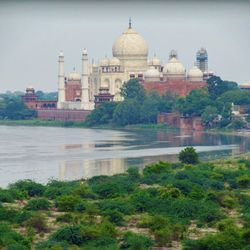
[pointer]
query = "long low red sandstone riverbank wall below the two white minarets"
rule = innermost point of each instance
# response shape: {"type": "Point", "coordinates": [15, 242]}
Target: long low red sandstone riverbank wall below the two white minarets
{"type": "Point", "coordinates": [62, 115]}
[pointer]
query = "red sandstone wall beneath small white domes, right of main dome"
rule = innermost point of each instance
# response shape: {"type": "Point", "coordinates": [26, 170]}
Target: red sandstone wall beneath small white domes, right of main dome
{"type": "Point", "coordinates": [177, 87]}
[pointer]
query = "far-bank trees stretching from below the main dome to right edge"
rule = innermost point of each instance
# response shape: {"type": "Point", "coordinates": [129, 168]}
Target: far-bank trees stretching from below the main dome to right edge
{"type": "Point", "coordinates": [212, 103]}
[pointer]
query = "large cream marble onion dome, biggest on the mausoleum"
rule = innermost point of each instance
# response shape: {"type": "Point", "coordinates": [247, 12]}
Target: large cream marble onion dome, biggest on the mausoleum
{"type": "Point", "coordinates": [130, 44]}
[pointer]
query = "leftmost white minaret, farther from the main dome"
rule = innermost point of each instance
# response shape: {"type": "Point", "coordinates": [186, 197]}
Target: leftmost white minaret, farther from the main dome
{"type": "Point", "coordinates": [61, 84]}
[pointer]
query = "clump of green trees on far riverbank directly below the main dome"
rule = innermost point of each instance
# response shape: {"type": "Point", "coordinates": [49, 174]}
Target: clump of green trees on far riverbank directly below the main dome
{"type": "Point", "coordinates": [137, 107]}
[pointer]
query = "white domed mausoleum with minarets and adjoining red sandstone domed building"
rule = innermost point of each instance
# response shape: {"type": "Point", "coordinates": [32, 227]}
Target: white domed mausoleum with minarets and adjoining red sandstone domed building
{"type": "Point", "coordinates": [129, 60]}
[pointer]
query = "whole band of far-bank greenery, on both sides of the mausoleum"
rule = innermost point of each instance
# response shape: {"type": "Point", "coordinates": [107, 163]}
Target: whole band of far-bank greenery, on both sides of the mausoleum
{"type": "Point", "coordinates": [212, 103]}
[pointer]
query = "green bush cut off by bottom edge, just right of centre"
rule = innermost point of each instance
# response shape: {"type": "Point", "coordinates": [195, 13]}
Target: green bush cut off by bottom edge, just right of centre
{"type": "Point", "coordinates": [136, 242]}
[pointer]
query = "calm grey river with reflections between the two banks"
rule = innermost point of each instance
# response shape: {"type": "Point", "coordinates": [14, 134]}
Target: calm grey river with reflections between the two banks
{"type": "Point", "coordinates": [44, 153]}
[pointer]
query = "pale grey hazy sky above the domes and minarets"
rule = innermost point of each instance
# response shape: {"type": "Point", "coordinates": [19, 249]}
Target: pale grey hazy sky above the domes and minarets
{"type": "Point", "coordinates": [33, 32]}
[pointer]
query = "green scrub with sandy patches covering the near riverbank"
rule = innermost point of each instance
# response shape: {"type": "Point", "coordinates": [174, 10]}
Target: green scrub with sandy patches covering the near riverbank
{"type": "Point", "coordinates": [198, 206]}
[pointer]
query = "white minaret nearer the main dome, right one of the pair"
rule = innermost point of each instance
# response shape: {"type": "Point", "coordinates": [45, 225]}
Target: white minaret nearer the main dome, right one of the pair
{"type": "Point", "coordinates": [85, 81]}
